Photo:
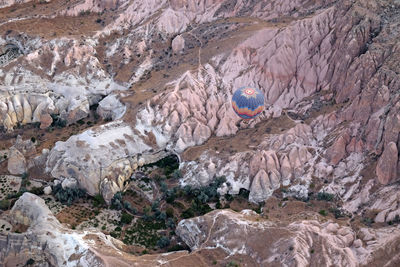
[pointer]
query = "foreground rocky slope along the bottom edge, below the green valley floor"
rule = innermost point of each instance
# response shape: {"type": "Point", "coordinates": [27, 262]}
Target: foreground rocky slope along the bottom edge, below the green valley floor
{"type": "Point", "coordinates": [299, 243]}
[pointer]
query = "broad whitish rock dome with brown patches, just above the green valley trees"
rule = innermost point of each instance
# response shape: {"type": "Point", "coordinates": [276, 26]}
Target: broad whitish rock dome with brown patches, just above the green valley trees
{"type": "Point", "coordinates": [102, 158]}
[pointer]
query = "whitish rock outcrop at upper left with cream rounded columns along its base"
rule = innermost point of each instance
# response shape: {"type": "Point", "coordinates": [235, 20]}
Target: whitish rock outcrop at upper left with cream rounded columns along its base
{"type": "Point", "coordinates": [28, 96]}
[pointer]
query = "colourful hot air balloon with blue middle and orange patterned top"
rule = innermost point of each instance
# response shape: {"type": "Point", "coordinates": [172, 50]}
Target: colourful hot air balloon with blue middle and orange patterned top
{"type": "Point", "coordinates": [248, 102]}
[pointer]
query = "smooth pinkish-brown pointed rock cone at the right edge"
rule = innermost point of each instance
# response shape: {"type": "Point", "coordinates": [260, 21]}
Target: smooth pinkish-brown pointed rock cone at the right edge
{"type": "Point", "coordinates": [386, 169]}
